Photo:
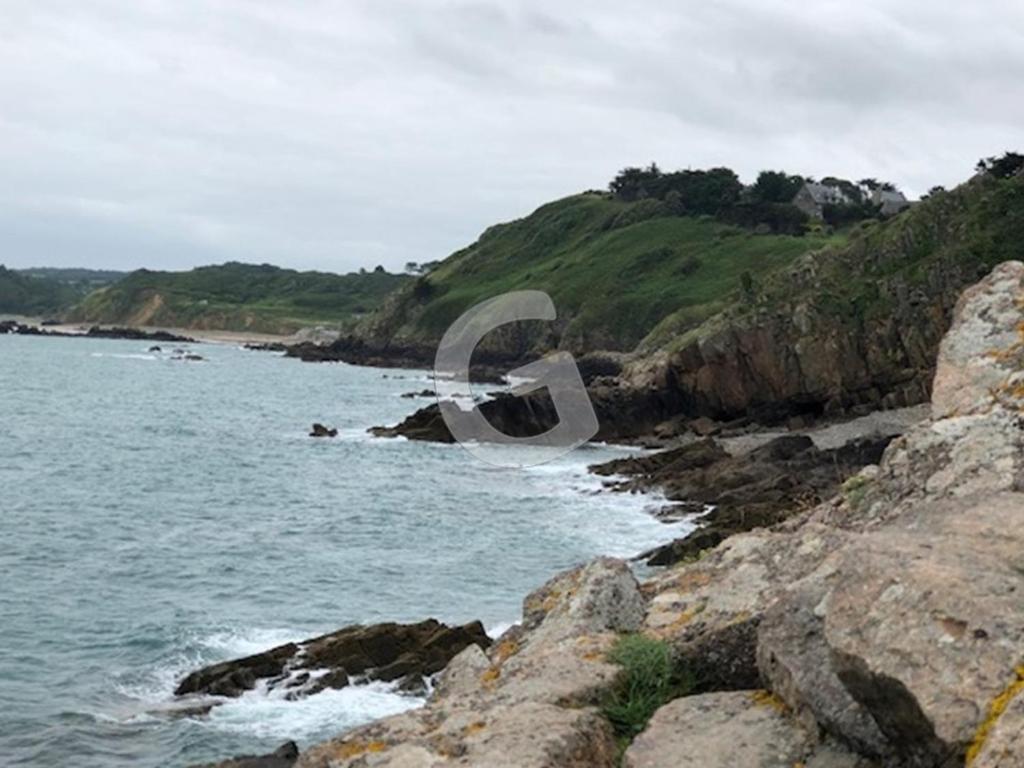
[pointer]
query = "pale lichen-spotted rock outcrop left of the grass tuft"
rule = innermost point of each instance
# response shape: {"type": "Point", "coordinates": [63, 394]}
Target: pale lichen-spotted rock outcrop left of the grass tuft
{"type": "Point", "coordinates": [529, 702]}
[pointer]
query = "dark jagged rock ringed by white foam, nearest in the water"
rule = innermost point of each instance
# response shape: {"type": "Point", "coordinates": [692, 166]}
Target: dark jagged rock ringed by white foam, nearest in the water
{"type": "Point", "coordinates": [392, 653]}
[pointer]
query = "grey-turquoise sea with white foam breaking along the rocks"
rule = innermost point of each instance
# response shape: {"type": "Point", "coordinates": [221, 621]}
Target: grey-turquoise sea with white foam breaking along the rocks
{"type": "Point", "coordinates": [158, 516]}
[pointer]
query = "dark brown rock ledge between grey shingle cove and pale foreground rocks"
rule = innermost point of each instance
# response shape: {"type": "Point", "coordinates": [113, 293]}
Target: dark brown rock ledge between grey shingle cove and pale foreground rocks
{"type": "Point", "coordinates": [759, 489]}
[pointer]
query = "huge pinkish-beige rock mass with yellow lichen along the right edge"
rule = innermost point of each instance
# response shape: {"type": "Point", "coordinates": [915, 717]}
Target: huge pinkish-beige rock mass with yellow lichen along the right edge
{"type": "Point", "coordinates": [913, 628]}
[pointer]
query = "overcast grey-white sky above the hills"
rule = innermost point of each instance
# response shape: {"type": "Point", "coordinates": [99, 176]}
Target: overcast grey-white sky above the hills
{"type": "Point", "coordinates": [343, 135]}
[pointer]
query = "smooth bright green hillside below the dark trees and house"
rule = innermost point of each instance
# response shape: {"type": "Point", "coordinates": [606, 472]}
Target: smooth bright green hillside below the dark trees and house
{"type": "Point", "coordinates": [614, 280]}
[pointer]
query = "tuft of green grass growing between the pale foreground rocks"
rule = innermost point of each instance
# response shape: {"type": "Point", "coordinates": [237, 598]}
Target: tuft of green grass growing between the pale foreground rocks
{"type": "Point", "coordinates": [650, 679]}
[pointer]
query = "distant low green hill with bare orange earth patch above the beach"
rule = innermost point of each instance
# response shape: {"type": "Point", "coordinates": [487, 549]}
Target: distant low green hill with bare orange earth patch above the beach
{"type": "Point", "coordinates": [238, 296]}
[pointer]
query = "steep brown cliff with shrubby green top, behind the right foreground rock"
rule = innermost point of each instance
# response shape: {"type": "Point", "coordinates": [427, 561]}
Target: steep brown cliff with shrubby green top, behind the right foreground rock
{"type": "Point", "coordinates": [850, 329]}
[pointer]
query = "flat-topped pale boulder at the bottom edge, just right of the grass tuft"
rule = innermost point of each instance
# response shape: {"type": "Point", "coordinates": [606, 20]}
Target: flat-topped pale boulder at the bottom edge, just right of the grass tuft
{"type": "Point", "coordinates": [749, 730]}
